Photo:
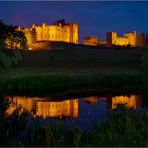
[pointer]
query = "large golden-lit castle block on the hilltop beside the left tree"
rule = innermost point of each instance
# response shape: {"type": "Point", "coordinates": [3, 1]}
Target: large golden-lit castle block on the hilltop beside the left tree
{"type": "Point", "coordinates": [38, 36]}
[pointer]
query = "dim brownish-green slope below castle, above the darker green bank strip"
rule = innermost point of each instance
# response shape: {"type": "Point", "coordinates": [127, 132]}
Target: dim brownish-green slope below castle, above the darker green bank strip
{"type": "Point", "coordinates": [78, 61]}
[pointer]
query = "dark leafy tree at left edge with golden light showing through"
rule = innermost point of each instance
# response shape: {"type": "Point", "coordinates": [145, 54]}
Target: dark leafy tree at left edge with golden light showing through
{"type": "Point", "coordinates": [12, 44]}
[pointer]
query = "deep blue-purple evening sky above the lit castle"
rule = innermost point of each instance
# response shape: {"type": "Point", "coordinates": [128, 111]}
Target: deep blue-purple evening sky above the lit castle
{"type": "Point", "coordinates": [93, 17]}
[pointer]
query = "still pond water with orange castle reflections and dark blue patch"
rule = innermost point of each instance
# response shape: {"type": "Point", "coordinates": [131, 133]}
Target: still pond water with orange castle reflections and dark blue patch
{"type": "Point", "coordinates": [80, 112]}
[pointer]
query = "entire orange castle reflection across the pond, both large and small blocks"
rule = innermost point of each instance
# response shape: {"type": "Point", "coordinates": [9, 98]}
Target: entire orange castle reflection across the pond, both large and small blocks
{"type": "Point", "coordinates": [43, 107]}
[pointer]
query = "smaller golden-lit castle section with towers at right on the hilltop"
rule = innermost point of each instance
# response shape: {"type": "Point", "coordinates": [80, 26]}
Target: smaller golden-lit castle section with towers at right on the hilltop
{"type": "Point", "coordinates": [127, 39]}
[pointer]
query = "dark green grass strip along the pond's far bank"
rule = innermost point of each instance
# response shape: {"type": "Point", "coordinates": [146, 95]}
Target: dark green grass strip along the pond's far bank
{"type": "Point", "coordinates": [62, 82]}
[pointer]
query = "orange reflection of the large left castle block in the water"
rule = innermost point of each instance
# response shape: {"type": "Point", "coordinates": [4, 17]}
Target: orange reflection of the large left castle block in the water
{"type": "Point", "coordinates": [43, 107]}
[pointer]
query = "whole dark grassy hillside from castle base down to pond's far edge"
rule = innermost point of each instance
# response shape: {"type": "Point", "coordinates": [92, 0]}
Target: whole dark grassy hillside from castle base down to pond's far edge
{"type": "Point", "coordinates": [62, 71]}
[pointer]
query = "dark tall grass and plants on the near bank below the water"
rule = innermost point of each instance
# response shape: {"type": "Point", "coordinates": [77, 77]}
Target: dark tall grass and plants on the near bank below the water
{"type": "Point", "coordinates": [121, 128]}
